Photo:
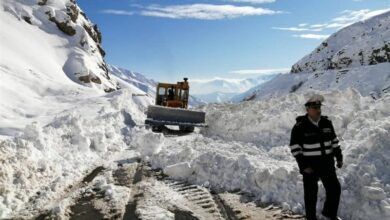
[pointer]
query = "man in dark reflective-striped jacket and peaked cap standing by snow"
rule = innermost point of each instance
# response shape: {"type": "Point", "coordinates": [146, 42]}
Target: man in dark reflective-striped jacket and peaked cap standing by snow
{"type": "Point", "coordinates": [314, 145]}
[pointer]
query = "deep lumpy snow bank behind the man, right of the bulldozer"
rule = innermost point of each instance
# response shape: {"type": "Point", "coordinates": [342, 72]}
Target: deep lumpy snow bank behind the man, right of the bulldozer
{"type": "Point", "coordinates": [245, 148]}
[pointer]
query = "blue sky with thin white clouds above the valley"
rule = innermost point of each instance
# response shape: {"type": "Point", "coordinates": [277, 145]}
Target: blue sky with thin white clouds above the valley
{"type": "Point", "coordinates": [204, 39]}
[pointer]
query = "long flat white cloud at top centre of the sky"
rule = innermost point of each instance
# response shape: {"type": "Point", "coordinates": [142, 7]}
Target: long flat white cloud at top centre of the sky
{"type": "Point", "coordinates": [204, 11]}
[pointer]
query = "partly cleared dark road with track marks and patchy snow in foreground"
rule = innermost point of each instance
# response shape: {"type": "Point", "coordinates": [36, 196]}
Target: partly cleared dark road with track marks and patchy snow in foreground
{"type": "Point", "coordinates": [132, 190]}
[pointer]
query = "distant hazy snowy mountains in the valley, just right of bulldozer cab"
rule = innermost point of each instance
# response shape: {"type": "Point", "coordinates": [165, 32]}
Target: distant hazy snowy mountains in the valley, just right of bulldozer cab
{"type": "Point", "coordinates": [222, 90]}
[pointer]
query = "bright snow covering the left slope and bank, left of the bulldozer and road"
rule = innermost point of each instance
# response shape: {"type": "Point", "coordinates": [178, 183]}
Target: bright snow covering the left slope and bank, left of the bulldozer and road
{"type": "Point", "coordinates": [53, 129]}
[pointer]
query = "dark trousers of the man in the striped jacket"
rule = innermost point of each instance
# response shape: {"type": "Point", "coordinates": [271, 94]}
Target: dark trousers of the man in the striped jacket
{"type": "Point", "coordinates": [326, 172]}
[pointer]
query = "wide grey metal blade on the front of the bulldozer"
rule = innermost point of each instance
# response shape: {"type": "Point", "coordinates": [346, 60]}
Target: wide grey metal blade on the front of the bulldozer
{"type": "Point", "coordinates": [160, 115]}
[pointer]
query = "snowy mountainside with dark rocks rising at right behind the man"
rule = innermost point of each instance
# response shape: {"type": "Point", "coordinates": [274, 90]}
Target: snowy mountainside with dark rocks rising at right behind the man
{"type": "Point", "coordinates": [356, 56]}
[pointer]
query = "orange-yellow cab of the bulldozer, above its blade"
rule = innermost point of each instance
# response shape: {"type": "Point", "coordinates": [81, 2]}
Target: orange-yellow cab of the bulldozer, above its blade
{"type": "Point", "coordinates": [173, 95]}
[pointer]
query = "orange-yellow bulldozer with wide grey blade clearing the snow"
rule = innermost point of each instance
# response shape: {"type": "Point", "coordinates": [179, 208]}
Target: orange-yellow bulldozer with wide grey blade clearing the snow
{"type": "Point", "coordinates": [171, 108]}
